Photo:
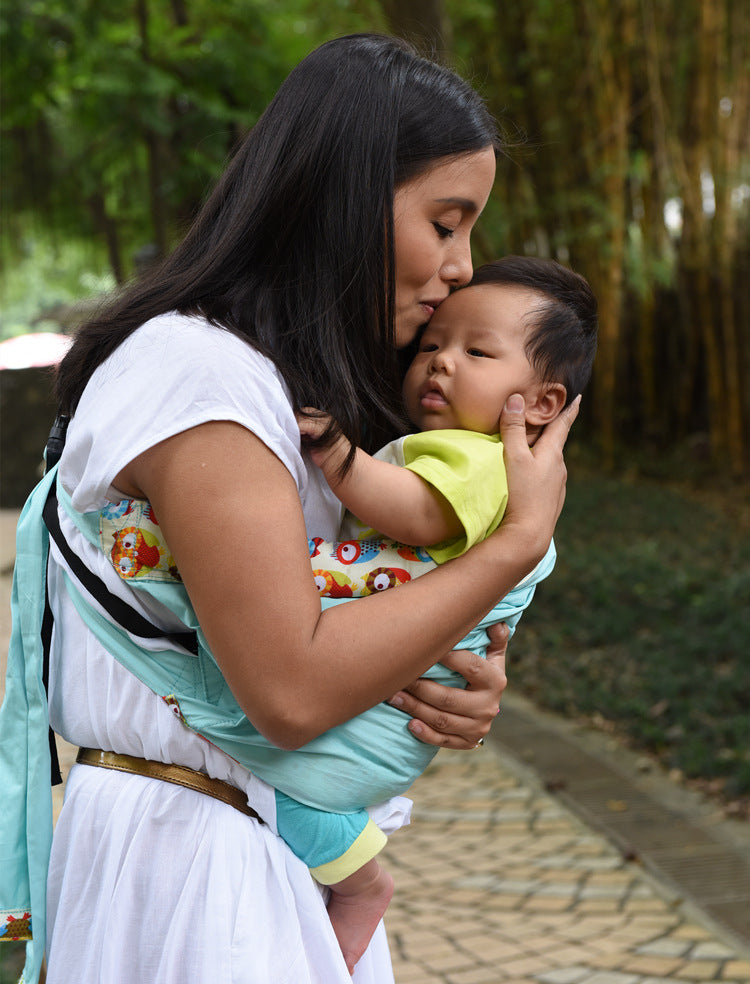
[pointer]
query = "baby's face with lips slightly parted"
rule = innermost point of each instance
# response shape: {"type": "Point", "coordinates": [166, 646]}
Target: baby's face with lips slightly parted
{"type": "Point", "coordinates": [471, 358]}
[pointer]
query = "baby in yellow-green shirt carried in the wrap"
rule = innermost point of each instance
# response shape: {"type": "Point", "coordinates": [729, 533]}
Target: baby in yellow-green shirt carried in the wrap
{"type": "Point", "coordinates": [523, 325]}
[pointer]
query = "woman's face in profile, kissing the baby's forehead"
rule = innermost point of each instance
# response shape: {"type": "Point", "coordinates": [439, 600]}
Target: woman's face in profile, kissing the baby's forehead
{"type": "Point", "coordinates": [433, 215]}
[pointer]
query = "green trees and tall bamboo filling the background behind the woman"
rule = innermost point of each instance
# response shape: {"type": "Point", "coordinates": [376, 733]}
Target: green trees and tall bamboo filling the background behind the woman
{"type": "Point", "coordinates": [119, 117]}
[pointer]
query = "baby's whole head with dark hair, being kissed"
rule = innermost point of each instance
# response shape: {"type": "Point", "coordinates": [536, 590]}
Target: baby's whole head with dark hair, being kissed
{"type": "Point", "coordinates": [523, 325]}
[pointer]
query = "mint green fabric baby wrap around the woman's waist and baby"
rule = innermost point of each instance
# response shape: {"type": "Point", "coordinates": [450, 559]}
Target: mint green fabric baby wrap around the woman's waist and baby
{"type": "Point", "coordinates": [358, 763]}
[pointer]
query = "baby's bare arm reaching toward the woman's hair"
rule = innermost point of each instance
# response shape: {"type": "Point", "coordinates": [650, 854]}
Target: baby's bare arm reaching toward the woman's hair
{"type": "Point", "coordinates": [393, 500]}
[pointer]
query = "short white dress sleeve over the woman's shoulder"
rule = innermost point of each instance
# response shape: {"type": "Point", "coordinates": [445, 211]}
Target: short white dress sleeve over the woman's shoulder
{"type": "Point", "coordinates": [173, 373]}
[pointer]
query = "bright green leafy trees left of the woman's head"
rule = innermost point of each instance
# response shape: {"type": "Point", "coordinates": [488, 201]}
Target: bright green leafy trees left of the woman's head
{"type": "Point", "coordinates": [119, 116]}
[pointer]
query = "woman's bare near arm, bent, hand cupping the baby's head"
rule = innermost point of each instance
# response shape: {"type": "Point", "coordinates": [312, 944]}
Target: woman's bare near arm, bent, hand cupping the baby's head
{"type": "Point", "coordinates": [295, 671]}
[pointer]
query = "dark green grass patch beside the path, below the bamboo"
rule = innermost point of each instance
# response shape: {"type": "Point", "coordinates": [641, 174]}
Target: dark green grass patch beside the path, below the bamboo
{"type": "Point", "coordinates": [643, 628]}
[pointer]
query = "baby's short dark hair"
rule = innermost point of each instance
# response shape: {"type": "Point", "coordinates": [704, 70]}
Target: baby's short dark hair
{"type": "Point", "coordinates": [562, 342]}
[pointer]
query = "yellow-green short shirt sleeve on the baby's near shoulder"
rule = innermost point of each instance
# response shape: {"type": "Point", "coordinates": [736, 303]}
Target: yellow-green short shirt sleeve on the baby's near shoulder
{"type": "Point", "coordinates": [468, 469]}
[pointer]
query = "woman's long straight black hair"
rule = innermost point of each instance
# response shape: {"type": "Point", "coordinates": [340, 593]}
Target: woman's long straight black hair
{"type": "Point", "coordinates": [293, 250]}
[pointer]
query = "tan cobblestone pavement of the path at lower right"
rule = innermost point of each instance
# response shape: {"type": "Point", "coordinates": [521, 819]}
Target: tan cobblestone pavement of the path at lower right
{"type": "Point", "coordinates": [498, 883]}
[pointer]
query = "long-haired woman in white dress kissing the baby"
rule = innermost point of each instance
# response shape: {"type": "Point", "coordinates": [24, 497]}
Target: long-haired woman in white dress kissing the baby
{"type": "Point", "coordinates": [341, 224]}
